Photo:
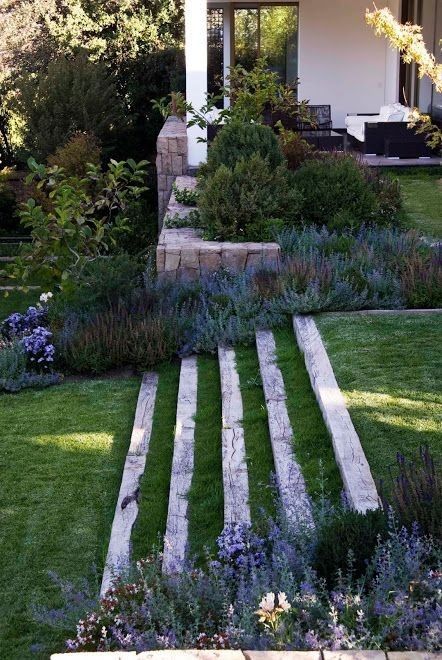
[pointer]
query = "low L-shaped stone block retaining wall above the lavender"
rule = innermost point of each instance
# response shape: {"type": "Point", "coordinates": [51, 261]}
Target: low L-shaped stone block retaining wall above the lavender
{"type": "Point", "coordinates": [182, 253]}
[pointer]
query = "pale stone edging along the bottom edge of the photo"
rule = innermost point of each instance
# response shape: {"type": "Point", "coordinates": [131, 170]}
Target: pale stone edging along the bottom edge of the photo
{"type": "Point", "coordinates": [250, 655]}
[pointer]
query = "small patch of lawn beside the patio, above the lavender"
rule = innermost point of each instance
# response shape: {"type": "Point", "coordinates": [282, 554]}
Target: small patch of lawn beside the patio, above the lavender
{"type": "Point", "coordinates": [422, 191]}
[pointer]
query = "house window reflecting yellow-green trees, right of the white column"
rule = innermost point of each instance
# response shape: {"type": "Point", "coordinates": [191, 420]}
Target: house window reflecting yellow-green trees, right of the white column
{"type": "Point", "coordinates": [270, 31]}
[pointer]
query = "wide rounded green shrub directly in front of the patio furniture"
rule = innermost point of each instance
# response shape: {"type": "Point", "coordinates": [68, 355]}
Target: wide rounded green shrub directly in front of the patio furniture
{"type": "Point", "coordinates": [340, 192]}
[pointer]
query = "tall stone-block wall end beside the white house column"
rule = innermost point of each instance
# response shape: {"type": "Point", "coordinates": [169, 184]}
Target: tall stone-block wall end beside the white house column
{"type": "Point", "coordinates": [171, 160]}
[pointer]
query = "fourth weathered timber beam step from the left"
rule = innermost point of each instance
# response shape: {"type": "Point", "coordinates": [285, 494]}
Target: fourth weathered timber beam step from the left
{"type": "Point", "coordinates": [290, 481]}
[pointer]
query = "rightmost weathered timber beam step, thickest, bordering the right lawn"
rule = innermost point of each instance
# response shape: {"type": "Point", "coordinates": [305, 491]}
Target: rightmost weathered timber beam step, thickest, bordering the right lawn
{"type": "Point", "coordinates": [353, 465]}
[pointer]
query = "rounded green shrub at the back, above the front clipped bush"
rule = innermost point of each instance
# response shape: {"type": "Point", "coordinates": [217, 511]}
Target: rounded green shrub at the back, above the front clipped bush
{"type": "Point", "coordinates": [238, 141]}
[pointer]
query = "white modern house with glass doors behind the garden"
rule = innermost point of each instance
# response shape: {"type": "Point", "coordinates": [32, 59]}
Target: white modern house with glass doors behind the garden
{"type": "Point", "coordinates": [326, 43]}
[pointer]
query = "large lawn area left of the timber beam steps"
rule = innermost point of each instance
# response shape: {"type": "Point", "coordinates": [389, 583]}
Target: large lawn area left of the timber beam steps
{"type": "Point", "coordinates": [61, 457]}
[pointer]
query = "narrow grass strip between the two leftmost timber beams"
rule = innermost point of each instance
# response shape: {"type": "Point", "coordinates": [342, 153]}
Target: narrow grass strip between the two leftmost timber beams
{"type": "Point", "coordinates": [151, 522]}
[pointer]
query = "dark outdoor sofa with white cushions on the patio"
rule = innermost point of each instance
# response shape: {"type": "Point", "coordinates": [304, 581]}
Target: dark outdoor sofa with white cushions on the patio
{"type": "Point", "coordinates": [386, 132]}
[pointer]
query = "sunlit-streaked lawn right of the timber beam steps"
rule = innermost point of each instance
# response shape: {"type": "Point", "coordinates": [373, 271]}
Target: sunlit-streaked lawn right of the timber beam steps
{"type": "Point", "coordinates": [389, 369]}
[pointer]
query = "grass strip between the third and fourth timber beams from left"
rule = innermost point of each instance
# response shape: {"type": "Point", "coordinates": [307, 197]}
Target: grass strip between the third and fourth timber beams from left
{"type": "Point", "coordinates": [256, 433]}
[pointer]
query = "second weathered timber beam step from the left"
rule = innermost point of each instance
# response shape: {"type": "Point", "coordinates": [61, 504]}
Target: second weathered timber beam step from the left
{"type": "Point", "coordinates": [175, 541]}
